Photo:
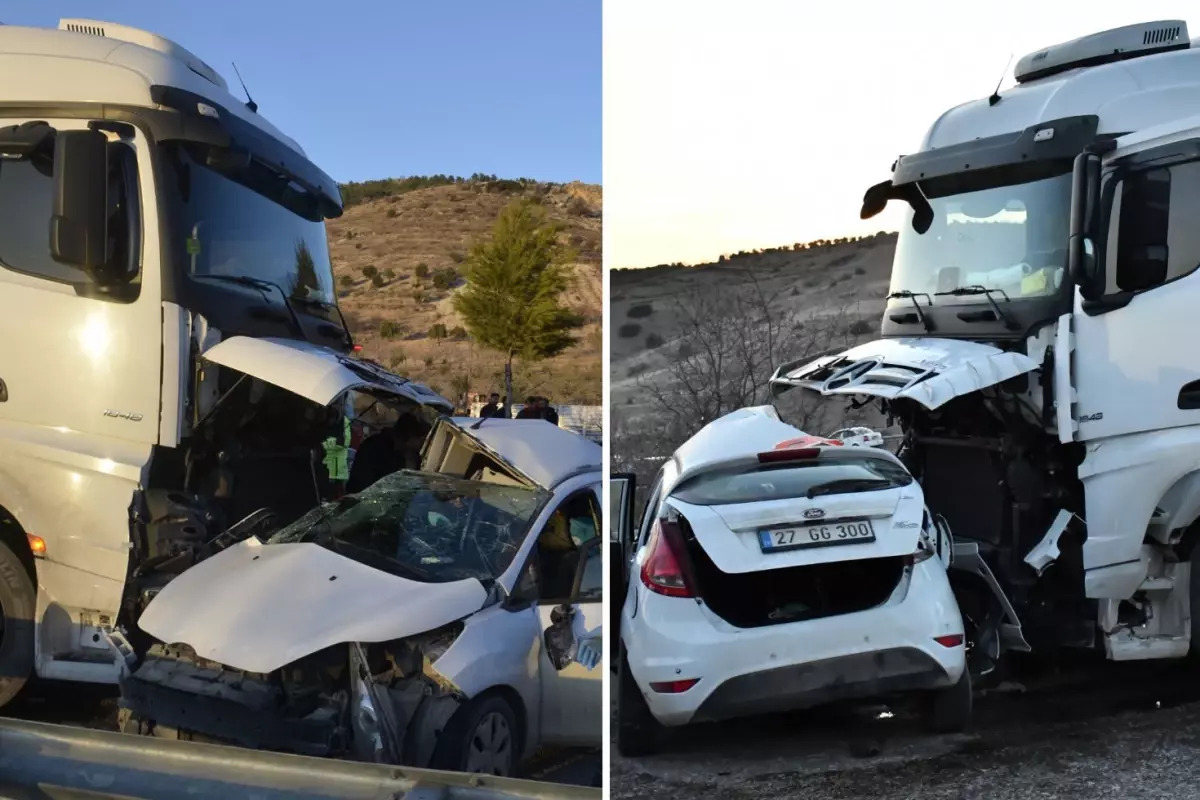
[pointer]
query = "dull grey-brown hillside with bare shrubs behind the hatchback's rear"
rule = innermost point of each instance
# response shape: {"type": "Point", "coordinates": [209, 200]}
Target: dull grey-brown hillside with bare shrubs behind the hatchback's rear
{"type": "Point", "coordinates": [819, 297]}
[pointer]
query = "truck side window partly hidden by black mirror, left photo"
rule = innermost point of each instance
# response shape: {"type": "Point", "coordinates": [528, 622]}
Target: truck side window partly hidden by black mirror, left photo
{"type": "Point", "coordinates": [27, 196]}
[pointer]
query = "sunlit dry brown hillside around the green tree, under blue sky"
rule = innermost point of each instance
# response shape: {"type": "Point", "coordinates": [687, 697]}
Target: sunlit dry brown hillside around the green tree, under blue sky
{"type": "Point", "coordinates": [428, 232]}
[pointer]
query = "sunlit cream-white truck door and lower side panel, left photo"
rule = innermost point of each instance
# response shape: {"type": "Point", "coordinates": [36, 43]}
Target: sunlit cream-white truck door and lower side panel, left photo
{"type": "Point", "coordinates": [81, 370]}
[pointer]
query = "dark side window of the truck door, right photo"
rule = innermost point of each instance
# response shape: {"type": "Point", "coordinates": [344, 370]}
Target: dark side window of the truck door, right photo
{"type": "Point", "coordinates": [1156, 238]}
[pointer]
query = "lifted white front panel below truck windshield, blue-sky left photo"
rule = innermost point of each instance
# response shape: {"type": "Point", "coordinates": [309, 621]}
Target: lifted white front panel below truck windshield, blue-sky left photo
{"type": "Point", "coordinates": [317, 374]}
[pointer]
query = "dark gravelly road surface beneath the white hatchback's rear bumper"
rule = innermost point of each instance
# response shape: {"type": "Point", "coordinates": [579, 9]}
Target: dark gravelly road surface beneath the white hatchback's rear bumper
{"type": "Point", "coordinates": [1113, 731]}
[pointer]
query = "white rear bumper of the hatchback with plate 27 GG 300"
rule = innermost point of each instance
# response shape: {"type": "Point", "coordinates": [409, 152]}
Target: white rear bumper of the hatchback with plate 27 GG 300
{"type": "Point", "coordinates": [799, 665]}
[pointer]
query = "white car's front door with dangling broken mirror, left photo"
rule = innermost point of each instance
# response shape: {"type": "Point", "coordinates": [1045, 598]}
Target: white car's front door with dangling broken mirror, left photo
{"type": "Point", "coordinates": [571, 663]}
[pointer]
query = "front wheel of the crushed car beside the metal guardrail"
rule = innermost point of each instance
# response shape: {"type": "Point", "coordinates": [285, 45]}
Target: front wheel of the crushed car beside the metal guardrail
{"type": "Point", "coordinates": [483, 738]}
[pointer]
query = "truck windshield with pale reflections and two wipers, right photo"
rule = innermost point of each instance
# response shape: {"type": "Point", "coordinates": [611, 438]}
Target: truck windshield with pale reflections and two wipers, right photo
{"type": "Point", "coordinates": [1012, 239]}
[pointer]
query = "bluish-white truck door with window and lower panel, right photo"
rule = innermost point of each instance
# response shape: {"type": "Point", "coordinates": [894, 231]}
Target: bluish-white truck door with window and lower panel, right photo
{"type": "Point", "coordinates": [1135, 362]}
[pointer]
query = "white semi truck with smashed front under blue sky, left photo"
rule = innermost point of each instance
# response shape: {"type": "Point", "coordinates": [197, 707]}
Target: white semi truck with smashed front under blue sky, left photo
{"type": "Point", "coordinates": [172, 354]}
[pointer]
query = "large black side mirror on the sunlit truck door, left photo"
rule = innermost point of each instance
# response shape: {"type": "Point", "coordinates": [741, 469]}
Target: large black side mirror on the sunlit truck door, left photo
{"type": "Point", "coordinates": [80, 221]}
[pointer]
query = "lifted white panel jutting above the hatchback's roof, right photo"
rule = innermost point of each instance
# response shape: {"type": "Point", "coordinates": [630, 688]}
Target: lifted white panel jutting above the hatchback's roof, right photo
{"type": "Point", "coordinates": [929, 371]}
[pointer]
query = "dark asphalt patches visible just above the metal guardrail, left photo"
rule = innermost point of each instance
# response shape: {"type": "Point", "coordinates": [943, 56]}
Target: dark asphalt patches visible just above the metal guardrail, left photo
{"type": "Point", "coordinates": [95, 707]}
